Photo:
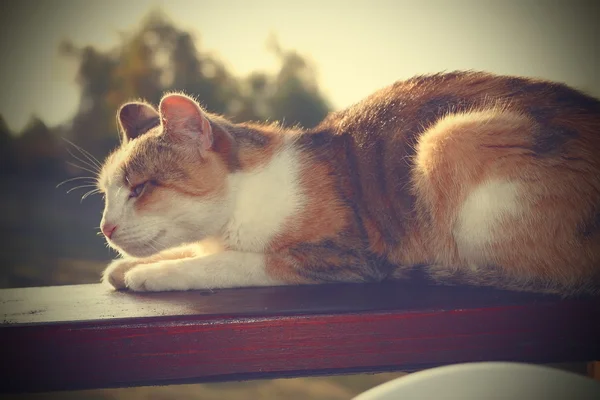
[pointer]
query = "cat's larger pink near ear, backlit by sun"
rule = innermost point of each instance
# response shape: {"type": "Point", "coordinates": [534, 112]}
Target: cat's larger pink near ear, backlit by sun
{"type": "Point", "coordinates": [183, 120]}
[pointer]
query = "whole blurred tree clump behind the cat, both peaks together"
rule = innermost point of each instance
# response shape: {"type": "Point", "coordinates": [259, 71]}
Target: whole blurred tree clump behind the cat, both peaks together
{"type": "Point", "coordinates": [158, 57]}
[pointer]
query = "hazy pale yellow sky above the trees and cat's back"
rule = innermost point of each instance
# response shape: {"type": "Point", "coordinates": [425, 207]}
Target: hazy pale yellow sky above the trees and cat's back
{"type": "Point", "coordinates": [357, 46]}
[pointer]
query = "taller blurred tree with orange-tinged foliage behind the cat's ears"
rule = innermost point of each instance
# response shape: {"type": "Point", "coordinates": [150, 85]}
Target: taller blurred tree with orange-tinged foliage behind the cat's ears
{"type": "Point", "coordinates": [155, 58]}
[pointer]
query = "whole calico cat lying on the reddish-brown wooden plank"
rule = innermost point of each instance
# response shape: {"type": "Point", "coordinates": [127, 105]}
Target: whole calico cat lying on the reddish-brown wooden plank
{"type": "Point", "coordinates": [474, 178]}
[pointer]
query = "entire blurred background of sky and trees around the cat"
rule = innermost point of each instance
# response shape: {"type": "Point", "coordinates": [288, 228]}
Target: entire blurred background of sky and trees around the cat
{"type": "Point", "coordinates": [67, 65]}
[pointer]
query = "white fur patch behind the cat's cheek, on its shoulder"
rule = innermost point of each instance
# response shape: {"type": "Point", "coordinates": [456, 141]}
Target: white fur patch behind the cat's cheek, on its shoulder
{"type": "Point", "coordinates": [264, 201]}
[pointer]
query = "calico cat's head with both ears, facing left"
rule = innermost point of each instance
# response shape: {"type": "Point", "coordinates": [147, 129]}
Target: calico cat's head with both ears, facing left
{"type": "Point", "coordinates": [167, 183]}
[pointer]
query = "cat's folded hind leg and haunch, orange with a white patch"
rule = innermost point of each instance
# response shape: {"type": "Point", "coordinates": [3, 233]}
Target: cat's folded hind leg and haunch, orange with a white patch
{"type": "Point", "coordinates": [503, 200]}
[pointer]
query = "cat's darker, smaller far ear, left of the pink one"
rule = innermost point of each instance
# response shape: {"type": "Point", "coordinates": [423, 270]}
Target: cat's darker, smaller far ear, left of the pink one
{"type": "Point", "coordinates": [135, 119]}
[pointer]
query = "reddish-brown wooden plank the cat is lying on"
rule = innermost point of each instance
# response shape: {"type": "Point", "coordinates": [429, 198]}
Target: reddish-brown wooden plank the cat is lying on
{"type": "Point", "coordinates": [79, 337]}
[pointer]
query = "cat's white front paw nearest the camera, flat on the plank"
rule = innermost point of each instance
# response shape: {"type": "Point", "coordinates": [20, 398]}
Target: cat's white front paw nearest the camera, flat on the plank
{"type": "Point", "coordinates": [156, 277]}
